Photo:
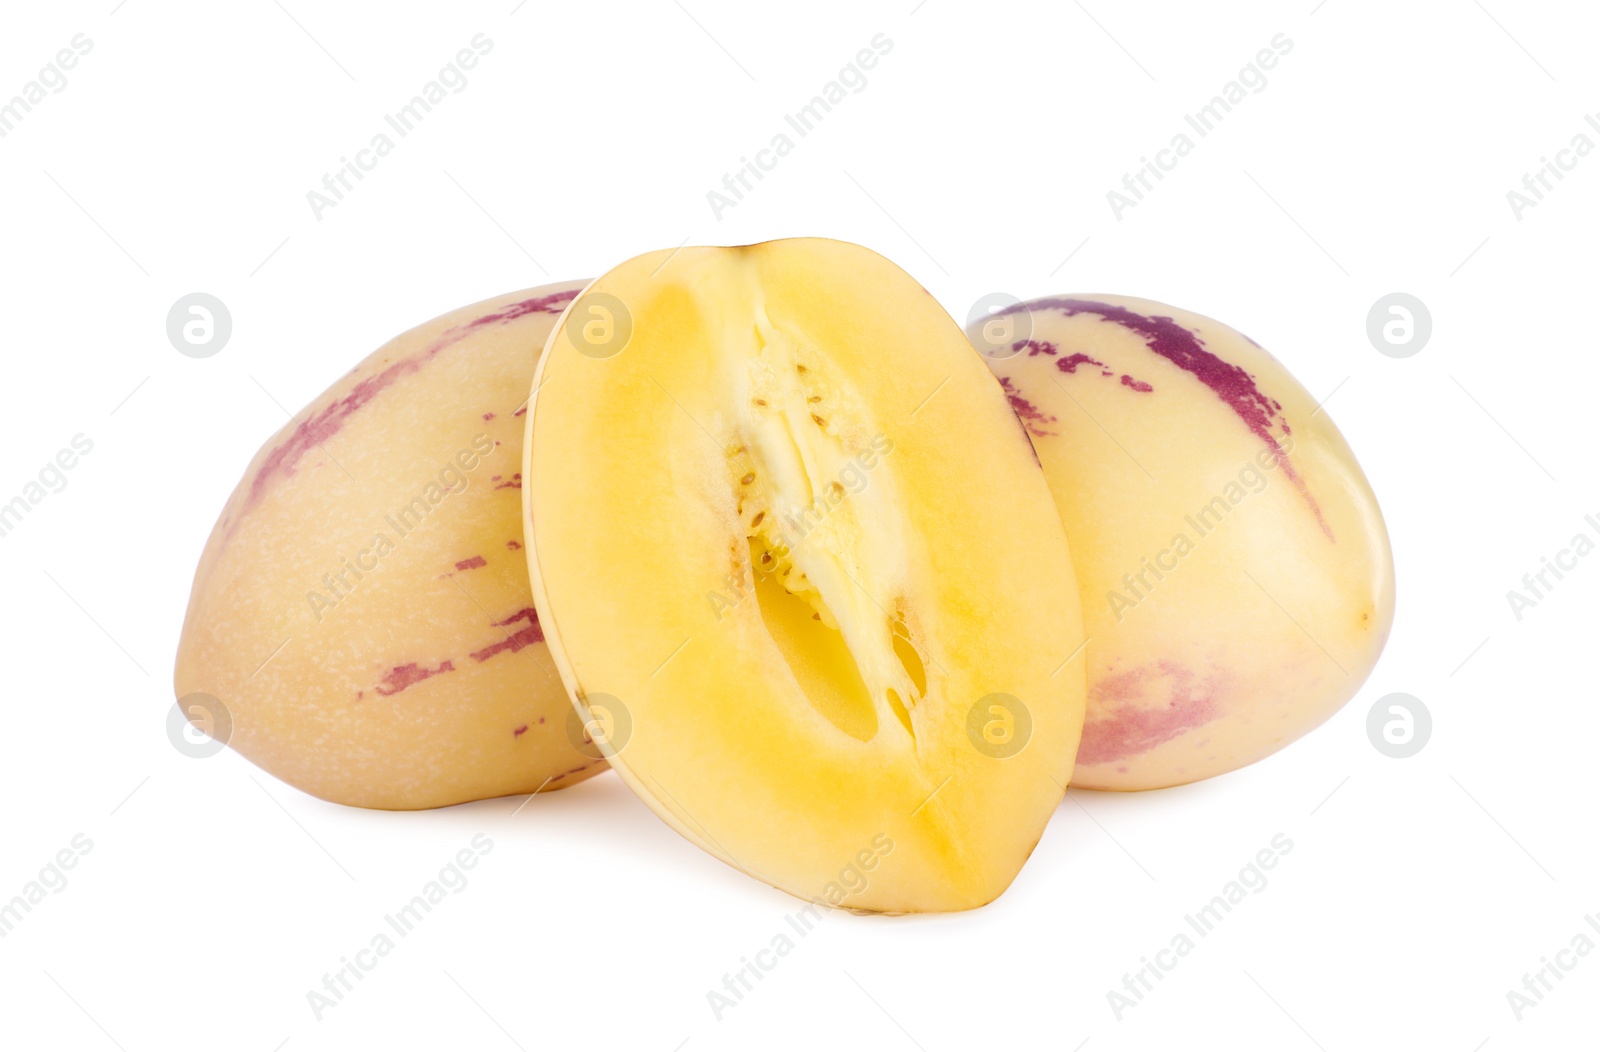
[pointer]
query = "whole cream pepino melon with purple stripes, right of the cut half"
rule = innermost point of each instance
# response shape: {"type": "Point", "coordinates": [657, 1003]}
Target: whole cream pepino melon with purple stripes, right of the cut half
{"type": "Point", "coordinates": [1236, 572]}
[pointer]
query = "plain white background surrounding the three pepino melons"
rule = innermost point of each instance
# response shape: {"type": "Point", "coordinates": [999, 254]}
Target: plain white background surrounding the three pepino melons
{"type": "Point", "coordinates": [1377, 159]}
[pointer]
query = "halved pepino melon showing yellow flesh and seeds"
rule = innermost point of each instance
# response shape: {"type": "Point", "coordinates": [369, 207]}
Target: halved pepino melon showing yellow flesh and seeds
{"type": "Point", "coordinates": [802, 573]}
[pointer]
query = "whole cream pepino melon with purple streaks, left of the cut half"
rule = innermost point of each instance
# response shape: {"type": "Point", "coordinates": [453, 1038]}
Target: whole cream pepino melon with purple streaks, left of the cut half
{"type": "Point", "coordinates": [362, 607]}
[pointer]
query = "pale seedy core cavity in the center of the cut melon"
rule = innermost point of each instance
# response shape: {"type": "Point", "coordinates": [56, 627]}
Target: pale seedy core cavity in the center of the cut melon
{"type": "Point", "coordinates": [825, 533]}
